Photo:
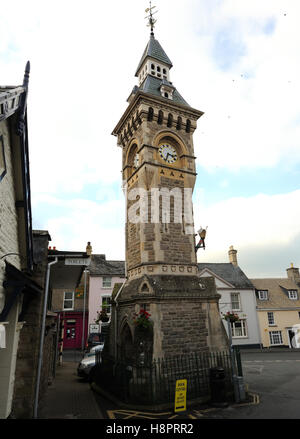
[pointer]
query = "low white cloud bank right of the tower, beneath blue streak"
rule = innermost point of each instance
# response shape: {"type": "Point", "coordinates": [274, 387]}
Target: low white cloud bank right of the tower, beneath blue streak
{"type": "Point", "coordinates": [255, 226]}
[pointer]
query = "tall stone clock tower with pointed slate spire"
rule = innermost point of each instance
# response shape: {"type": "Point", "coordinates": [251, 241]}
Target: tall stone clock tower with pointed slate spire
{"type": "Point", "coordinates": [155, 134]}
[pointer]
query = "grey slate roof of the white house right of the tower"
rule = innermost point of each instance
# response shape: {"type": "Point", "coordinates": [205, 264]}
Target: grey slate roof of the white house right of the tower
{"type": "Point", "coordinates": [228, 272]}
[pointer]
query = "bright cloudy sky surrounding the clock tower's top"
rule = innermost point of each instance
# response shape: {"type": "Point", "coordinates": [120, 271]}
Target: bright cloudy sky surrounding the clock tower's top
{"type": "Point", "coordinates": [238, 61]}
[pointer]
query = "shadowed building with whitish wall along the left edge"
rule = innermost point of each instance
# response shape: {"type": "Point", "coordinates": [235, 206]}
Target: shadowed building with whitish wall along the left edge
{"type": "Point", "coordinates": [22, 263]}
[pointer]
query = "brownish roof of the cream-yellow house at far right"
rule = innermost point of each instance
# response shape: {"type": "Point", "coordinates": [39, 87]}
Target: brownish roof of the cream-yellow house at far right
{"type": "Point", "coordinates": [277, 293]}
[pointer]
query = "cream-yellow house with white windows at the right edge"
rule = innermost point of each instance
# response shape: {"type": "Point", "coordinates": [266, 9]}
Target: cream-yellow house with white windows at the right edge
{"type": "Point", "coordinates": [278, 309]}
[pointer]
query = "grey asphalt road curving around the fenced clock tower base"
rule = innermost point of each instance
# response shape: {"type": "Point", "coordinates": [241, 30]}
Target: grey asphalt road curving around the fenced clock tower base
{"type": "Point", "coordinates": [274, 376]}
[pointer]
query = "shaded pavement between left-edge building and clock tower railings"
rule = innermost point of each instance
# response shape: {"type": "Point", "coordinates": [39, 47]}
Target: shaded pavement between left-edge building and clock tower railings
{"type": "Point", "coordinates": [69, 397]}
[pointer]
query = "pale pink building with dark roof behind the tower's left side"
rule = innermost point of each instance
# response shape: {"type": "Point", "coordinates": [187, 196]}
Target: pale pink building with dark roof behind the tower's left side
{"type": "Point", "coordinates": [103, 276]}
